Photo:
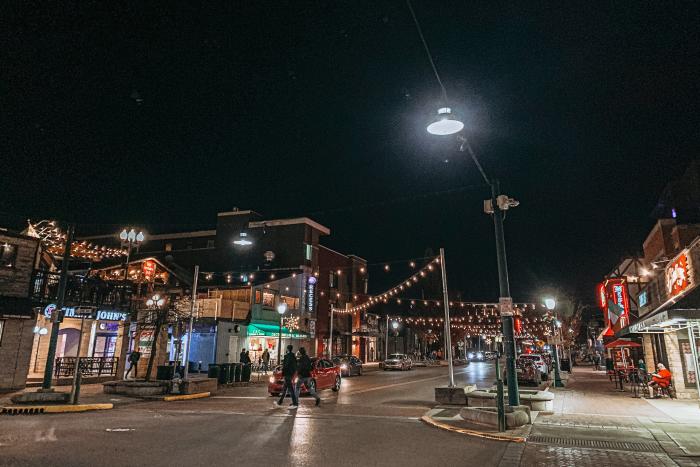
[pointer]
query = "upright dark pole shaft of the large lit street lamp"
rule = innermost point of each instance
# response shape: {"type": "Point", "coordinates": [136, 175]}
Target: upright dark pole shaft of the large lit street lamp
{"type": "Point", "coordinates": [505, 301]}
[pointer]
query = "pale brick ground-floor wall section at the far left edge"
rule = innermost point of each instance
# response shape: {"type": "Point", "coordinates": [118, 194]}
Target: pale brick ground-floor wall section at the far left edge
{"type": "Point", "coordinates": [15, 353]}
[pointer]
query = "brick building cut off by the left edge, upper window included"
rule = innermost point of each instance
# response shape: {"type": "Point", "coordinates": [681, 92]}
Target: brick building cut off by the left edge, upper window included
{"type": "Point", "coordinates": [18, 255]}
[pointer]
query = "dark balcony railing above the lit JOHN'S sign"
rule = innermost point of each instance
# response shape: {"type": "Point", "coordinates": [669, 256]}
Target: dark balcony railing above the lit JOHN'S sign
{"type": "Point", "coordinates": [81, 290]}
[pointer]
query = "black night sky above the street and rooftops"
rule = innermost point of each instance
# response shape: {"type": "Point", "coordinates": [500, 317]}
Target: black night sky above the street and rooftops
{"type": "Point", "coordinates": [319, 108]}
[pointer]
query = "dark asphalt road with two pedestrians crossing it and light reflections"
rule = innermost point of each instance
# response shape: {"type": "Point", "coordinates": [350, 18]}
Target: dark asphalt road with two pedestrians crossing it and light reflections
{"type": "Point", "coordinates": [373, 420]}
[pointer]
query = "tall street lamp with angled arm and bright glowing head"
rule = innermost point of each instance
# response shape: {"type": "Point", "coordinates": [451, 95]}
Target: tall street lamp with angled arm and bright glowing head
{"type": "Point", "coordinates": [446, 123]}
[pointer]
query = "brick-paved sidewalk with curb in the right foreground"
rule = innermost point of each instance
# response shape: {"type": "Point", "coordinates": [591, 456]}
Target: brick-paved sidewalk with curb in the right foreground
{"type": "Point", "coordinates": [593, 424]}
